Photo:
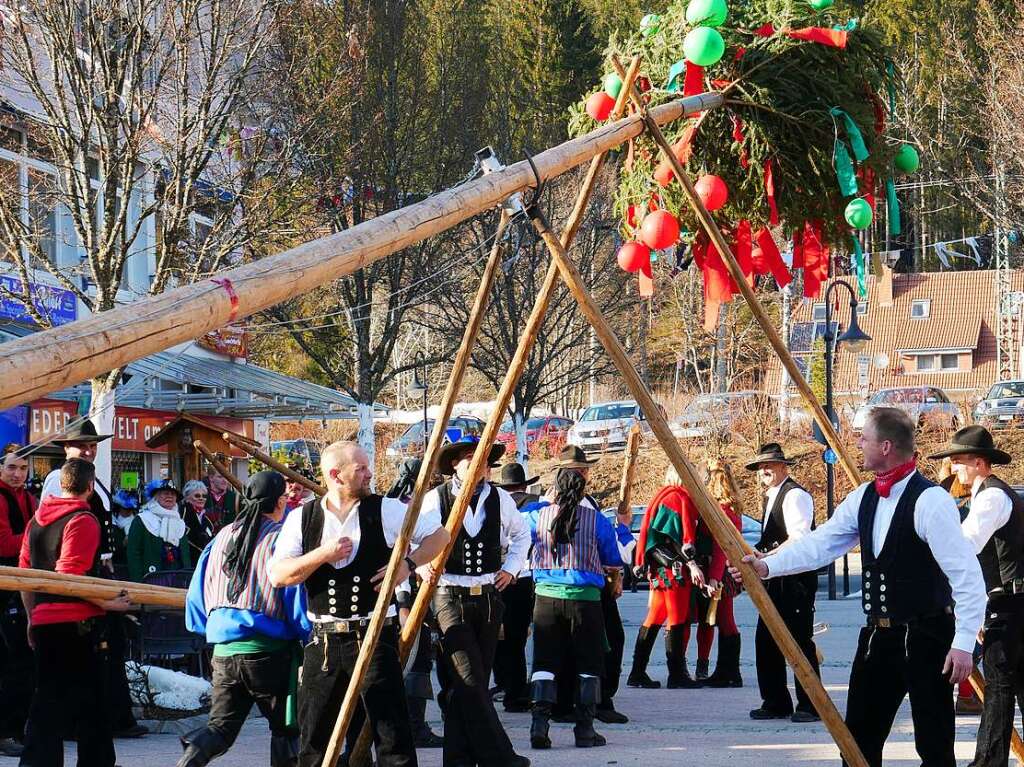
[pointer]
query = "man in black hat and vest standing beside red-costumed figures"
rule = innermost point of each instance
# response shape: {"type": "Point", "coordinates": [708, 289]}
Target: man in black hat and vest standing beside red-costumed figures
{"type": "Point", "coordinates": [789, 516]}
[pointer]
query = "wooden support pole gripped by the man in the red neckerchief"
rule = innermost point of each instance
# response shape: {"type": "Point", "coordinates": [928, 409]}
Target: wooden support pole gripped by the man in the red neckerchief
{"type": "Point", "coordinates": [721, 527]}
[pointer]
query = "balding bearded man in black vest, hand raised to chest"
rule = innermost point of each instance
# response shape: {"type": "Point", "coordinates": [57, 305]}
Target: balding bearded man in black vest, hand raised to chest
{"type": "Point", "coordinates": [339, 547]}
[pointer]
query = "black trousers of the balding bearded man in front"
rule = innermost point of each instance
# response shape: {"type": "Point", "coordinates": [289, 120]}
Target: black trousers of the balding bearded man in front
{"type": "Point", "coordinates": [323, 691]}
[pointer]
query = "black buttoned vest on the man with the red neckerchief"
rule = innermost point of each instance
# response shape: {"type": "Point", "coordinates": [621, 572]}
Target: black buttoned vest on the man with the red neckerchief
{"type": "Point", "coordinates": [904, 582]}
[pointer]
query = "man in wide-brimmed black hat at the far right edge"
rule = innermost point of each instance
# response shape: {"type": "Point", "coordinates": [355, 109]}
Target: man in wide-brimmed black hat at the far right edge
{"type": "Point", "coordinates": [996, 529]}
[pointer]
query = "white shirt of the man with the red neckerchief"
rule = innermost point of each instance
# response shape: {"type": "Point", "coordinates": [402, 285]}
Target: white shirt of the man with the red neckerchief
{"type": "Point", "coordinates": [936, 522]}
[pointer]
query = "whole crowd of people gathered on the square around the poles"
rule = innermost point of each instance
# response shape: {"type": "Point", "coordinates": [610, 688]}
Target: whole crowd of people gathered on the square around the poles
{"type": "Point", "coordinates": [285, 584]}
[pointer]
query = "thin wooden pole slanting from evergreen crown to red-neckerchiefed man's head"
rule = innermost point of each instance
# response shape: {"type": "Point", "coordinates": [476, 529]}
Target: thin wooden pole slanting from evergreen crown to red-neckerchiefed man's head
{"type": "Point", "coordinates": [709, 225]}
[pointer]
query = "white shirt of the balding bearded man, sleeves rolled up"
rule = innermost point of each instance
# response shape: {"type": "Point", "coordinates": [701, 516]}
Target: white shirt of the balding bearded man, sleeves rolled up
{"type": "Point", "coordinates": [289, 543]}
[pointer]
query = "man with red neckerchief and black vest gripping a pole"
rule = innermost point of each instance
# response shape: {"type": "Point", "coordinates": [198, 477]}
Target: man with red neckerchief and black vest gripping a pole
{"type": "Point", "coordinates": [917, 565]}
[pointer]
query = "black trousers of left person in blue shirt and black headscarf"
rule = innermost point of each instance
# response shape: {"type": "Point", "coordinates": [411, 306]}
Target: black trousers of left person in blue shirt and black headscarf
{"type": "Point", "coordinates": [240, 681]}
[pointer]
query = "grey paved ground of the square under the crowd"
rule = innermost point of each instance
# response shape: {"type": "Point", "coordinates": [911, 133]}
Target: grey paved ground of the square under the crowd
{"type": "Point", "coordinates": [668, 728]}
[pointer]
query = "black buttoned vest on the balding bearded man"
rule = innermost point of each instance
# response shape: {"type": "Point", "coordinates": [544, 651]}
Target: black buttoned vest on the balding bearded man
{"type": "Point", "coordinates": [347, 593]}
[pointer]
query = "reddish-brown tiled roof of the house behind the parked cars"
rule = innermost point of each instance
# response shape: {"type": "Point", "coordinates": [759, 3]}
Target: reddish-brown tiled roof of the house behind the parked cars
{"type": "Point", "coordinates": [962, 316]}
